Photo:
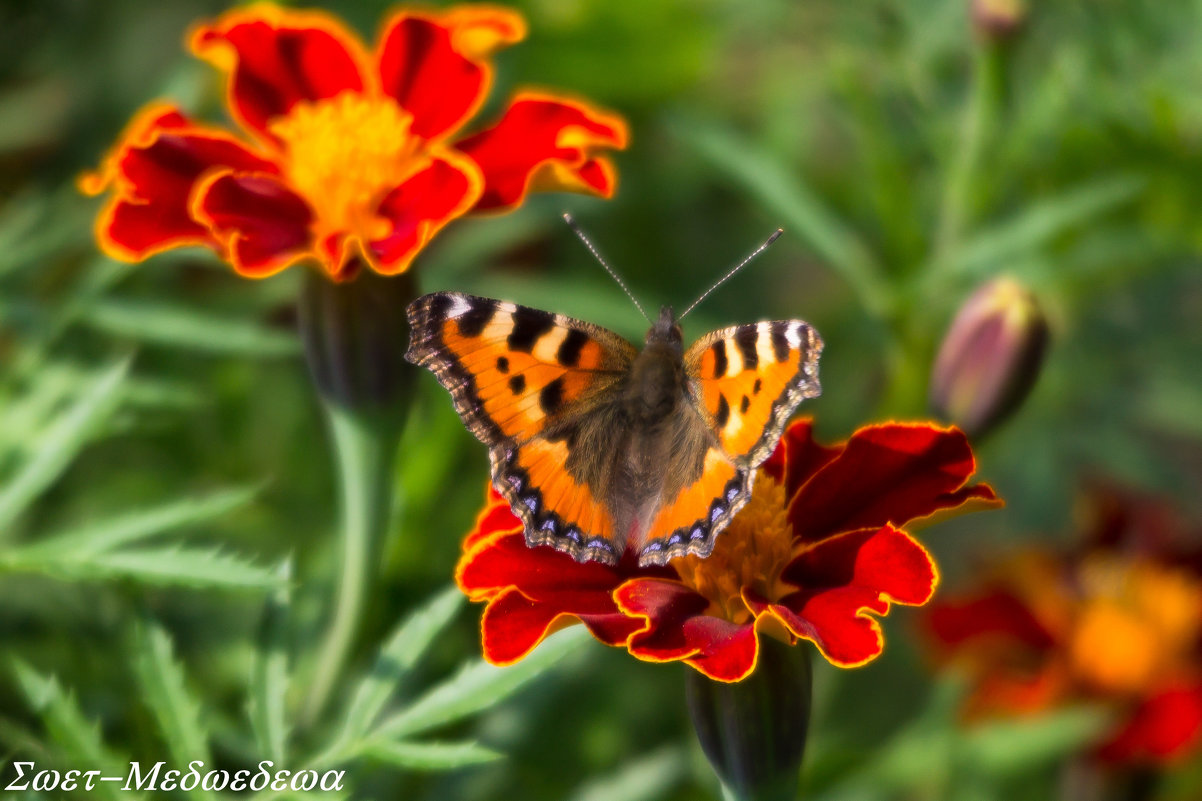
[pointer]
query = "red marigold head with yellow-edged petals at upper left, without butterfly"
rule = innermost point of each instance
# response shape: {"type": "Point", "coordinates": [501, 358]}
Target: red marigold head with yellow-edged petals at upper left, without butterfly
{"type": "Point", "coordinates": [349, 155]}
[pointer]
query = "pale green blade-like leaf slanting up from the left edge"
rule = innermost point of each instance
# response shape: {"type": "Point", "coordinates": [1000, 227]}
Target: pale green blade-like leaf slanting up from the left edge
{"type": "Point", "coordinates": [62, 443]}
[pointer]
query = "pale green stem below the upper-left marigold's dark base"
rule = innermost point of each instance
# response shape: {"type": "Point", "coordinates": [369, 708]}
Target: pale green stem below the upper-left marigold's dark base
{"type": "Point", "coordinates": [365, 447]}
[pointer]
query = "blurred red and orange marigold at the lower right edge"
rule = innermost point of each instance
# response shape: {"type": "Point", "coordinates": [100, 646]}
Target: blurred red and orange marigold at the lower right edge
{"type": "Point", "coordinates": [1118, 620]}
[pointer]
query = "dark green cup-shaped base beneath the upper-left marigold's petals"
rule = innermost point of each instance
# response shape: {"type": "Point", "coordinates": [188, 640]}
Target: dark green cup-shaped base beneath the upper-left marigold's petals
{"type": "Point", "coordinates": [355, 336]}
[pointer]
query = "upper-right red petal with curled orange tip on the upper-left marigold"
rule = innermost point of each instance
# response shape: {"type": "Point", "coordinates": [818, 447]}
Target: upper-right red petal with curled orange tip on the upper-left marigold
{"type": "Point", "coordinates": [433, 64]}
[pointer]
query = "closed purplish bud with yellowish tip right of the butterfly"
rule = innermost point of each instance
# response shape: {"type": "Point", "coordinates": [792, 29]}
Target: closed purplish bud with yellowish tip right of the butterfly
{"type": "Point", "coordinates": [991, 357]}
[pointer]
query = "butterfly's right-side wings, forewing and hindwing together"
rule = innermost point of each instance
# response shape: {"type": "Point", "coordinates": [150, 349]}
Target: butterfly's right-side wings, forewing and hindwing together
{"type": "Point", "coordinates": [743, 385]}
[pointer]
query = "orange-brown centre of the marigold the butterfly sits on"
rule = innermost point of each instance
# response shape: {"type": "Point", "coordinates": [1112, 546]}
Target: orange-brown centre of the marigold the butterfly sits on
{"type": "Point", "coordinates": [752, 553]}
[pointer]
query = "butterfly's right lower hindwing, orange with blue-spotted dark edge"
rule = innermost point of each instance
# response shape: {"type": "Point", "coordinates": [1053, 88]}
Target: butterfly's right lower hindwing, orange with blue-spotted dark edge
{"type": "Point", "coordinates": [717, 496]}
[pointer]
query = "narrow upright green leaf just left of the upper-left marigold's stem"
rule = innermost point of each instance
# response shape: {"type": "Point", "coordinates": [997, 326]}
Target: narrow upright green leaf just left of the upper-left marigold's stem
{"type": "Point", "coordinates": [270, 673]}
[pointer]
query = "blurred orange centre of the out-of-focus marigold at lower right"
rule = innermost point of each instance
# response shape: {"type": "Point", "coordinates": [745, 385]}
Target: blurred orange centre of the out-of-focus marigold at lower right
{"type": "Point", "coordinates": [1139, 622]}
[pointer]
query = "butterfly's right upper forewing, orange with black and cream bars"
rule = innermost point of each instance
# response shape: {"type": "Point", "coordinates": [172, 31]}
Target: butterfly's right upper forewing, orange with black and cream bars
{"type": "Point", "coordinates": [749, 379]}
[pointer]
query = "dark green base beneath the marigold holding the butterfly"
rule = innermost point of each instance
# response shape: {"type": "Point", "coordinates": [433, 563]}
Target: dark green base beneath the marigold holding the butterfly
{"type": "Point", "coordinates": [753, 732]}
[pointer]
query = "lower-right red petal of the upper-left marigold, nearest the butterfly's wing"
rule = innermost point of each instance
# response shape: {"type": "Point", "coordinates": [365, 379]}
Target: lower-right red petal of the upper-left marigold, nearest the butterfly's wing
{"type": "Point", "coordinates": [420, 207]}
